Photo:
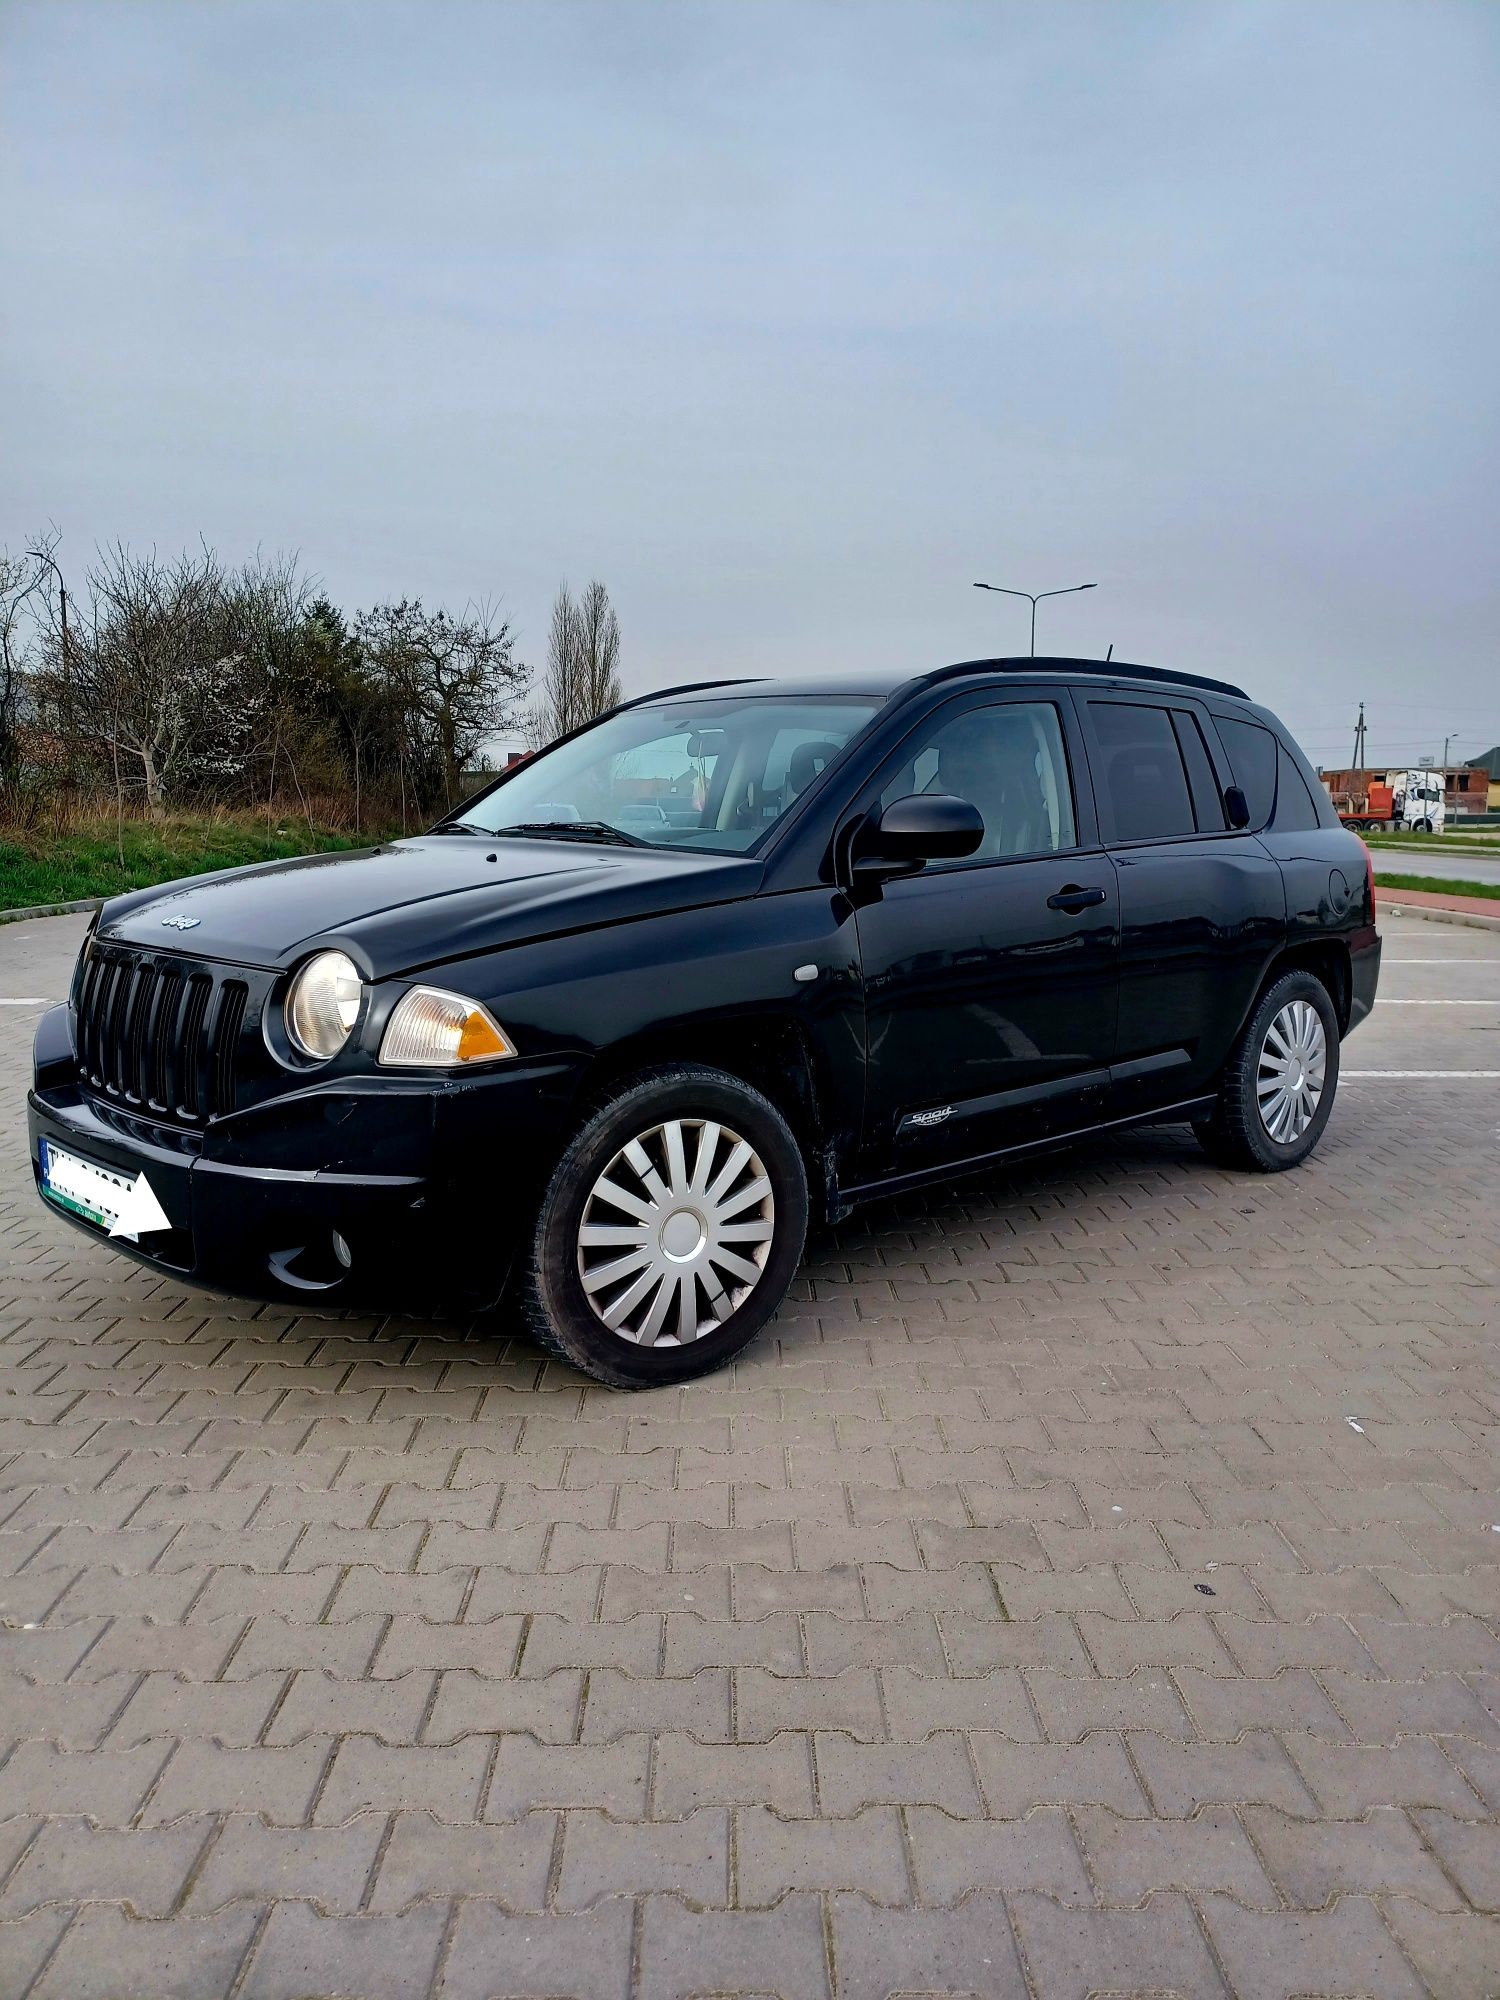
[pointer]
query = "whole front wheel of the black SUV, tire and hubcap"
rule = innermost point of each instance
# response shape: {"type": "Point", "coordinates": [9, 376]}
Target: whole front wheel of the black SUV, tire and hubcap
{"type": "Point", "coordinates": [669, 1233]}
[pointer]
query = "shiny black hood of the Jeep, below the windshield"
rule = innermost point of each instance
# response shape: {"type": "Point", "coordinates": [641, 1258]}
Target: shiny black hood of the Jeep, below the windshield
{"type": "Point", "coordinates": [417, 903]}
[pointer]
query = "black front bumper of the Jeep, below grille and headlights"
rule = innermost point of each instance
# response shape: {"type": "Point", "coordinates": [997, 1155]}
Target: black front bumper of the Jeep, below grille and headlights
{"type": "Point", "coordinates": [431, 1187]}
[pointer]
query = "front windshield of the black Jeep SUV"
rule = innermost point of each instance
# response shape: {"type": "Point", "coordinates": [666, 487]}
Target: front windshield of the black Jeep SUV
{"type": "Point", "coordinates": [687, 775]}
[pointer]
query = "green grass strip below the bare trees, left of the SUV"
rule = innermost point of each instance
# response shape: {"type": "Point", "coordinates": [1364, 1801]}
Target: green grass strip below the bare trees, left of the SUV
{"type": "Point", "coordinates": [85, 861]}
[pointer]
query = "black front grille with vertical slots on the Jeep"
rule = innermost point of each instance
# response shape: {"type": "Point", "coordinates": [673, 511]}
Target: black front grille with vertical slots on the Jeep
{"type": "Point", "coordinates": [161, 1037]}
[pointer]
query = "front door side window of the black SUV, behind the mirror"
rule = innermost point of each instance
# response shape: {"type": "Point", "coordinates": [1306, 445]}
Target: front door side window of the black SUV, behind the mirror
{"type": "Point", "coordinates": [1009, 763]}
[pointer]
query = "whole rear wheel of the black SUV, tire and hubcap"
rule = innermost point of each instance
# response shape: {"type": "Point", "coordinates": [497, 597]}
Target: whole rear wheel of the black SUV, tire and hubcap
{"type": "Point", "coordinates": [1279, 1085]}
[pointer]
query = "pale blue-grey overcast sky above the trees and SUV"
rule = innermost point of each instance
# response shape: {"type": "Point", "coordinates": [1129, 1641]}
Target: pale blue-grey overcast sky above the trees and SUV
{"type": "Point", "coordinates": [791, 321]}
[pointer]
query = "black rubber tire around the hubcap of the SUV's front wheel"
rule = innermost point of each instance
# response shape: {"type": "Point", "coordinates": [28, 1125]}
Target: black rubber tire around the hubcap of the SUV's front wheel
{"type": "Point", "coordinates": [557, 1307]}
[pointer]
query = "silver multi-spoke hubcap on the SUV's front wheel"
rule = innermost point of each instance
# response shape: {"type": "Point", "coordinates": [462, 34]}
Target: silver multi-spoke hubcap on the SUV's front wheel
{"type": "Point", "coordinates": [677, 1233]}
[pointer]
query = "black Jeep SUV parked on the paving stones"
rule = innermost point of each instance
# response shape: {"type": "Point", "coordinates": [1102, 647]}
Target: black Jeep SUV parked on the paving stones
{"type": "Point", "coordinates": [729, 955]}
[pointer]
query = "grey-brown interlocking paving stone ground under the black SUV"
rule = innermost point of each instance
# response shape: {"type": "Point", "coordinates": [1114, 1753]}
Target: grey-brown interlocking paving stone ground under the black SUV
{"type": "Point", "coordinates": [1091, 1585]}
